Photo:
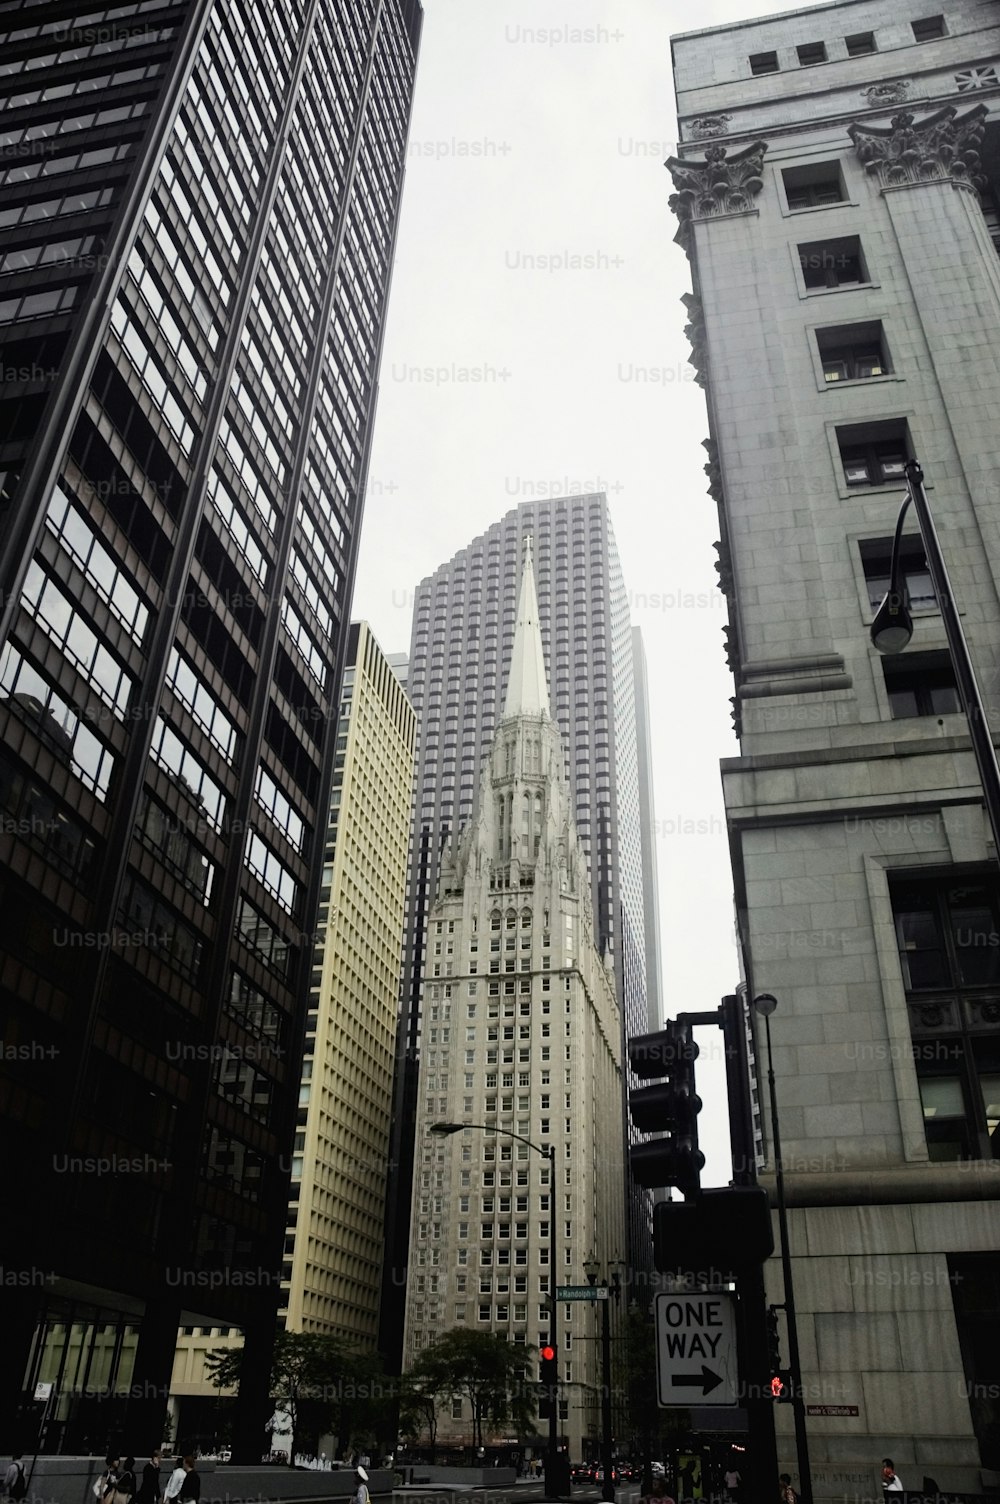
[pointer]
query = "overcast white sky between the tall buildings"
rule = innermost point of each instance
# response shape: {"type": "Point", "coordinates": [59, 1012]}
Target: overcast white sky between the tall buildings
{"type": "Point", "coordinates": [536, 261]}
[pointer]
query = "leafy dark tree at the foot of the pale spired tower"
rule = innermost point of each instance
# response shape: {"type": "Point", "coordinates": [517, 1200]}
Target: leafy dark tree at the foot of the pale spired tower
{"type": "Point", "coordinates": [486, 1371]}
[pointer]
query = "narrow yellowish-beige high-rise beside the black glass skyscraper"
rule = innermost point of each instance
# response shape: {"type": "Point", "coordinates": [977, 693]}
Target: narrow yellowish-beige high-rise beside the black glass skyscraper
{"type": "Point", "coordinates": [335, 1242]}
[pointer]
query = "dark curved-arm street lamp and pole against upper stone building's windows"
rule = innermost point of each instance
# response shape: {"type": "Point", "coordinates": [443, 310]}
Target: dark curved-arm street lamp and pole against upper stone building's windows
{"type": "Point", "coordinates": [894, 628]}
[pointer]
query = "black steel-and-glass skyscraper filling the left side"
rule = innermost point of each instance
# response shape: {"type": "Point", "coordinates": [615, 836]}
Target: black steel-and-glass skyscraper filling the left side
{"type": "Point", "coordinates": [199, 207]}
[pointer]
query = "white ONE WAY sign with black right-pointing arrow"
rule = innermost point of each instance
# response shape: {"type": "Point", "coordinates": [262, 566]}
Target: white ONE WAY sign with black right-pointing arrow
{"type": "Point", "coordinates": [697, 1350]}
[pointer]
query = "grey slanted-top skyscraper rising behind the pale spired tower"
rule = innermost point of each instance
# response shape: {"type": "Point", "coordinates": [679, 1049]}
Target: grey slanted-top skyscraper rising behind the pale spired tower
{"type": "Point", "coordinates": [461, 644]}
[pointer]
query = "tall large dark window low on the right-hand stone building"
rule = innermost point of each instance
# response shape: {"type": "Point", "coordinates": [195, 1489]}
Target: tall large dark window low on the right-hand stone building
{"type": "Point", "coordinates": [948, 933]}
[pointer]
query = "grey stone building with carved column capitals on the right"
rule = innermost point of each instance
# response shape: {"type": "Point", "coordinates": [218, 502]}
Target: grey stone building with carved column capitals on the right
{"type": "Point", "coordinates": [837, 190]}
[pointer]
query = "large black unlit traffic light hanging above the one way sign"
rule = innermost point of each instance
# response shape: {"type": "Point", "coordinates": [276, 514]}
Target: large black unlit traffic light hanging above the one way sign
{"type": "Point", "coordinates": [670, 1108]}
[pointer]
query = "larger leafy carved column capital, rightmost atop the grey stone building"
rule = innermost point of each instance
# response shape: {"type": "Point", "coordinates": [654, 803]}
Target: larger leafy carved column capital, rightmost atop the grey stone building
{"type": "Point", "coordinates": [906, 153]}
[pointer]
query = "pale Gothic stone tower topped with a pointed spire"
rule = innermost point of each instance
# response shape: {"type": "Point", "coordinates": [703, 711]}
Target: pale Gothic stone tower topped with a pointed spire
{"type": "Point", "coordinates": [523, 1034]}
